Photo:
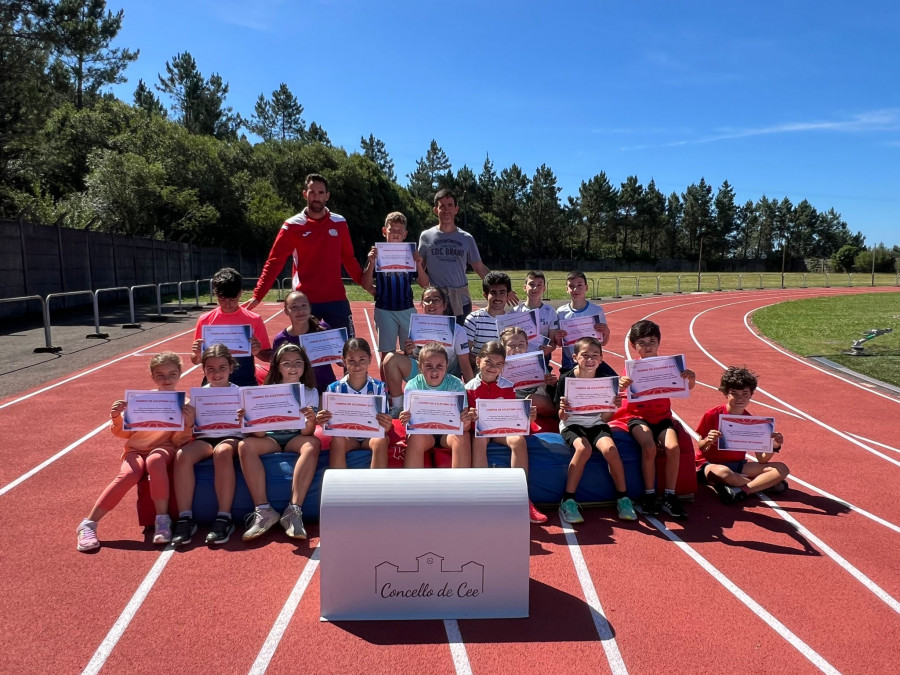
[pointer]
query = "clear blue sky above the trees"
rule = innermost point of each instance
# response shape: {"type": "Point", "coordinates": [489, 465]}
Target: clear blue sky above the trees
{"type": "Point", "coordinates": [796, 99]}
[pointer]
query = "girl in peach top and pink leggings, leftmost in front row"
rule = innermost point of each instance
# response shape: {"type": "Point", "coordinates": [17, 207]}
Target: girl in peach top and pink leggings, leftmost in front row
{"type": "Point", "coordinates": [145, 451]}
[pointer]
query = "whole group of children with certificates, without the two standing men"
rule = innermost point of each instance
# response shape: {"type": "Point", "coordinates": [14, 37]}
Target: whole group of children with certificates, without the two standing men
{"type": "Point", "coordinates": [472, 365]}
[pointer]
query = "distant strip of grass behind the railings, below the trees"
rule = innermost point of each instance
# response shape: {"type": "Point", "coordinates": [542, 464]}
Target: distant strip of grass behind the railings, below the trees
{"type": "Point", "coordinates": [603, 284]}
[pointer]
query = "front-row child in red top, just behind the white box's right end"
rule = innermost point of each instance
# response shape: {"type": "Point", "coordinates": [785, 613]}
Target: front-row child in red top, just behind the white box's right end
{"type": "Point", "coordinates": [488, 384]}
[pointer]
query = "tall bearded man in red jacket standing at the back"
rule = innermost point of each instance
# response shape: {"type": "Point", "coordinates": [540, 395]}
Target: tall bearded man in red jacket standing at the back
{"type": "Point", "coordinates": [319, 242]}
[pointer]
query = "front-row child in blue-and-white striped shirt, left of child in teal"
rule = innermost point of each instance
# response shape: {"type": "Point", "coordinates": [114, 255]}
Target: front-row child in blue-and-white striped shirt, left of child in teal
{"type": "Point", "coordinates": [357, 356]}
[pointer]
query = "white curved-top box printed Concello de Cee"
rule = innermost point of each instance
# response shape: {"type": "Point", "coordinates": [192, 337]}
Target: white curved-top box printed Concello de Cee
{"type": "Point", "coordinates": [424, 544]}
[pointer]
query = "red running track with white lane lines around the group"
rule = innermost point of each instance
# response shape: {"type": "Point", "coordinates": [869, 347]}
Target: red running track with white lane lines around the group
{"type": "Point", "coordinates": [807, 582]}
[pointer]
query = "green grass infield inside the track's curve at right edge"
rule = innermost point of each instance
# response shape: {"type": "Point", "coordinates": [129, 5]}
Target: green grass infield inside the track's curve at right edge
{"type": "Point", "coordinates": [828, 326]}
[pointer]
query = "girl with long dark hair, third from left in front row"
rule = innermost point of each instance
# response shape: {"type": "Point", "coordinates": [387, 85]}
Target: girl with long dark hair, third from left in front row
{"type": "Point", "coordinates": [289, 365]}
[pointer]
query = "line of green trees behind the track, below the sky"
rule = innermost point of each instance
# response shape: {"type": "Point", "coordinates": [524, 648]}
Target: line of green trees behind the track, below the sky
{"type": "Point", "coordinates": [176, 162]}
